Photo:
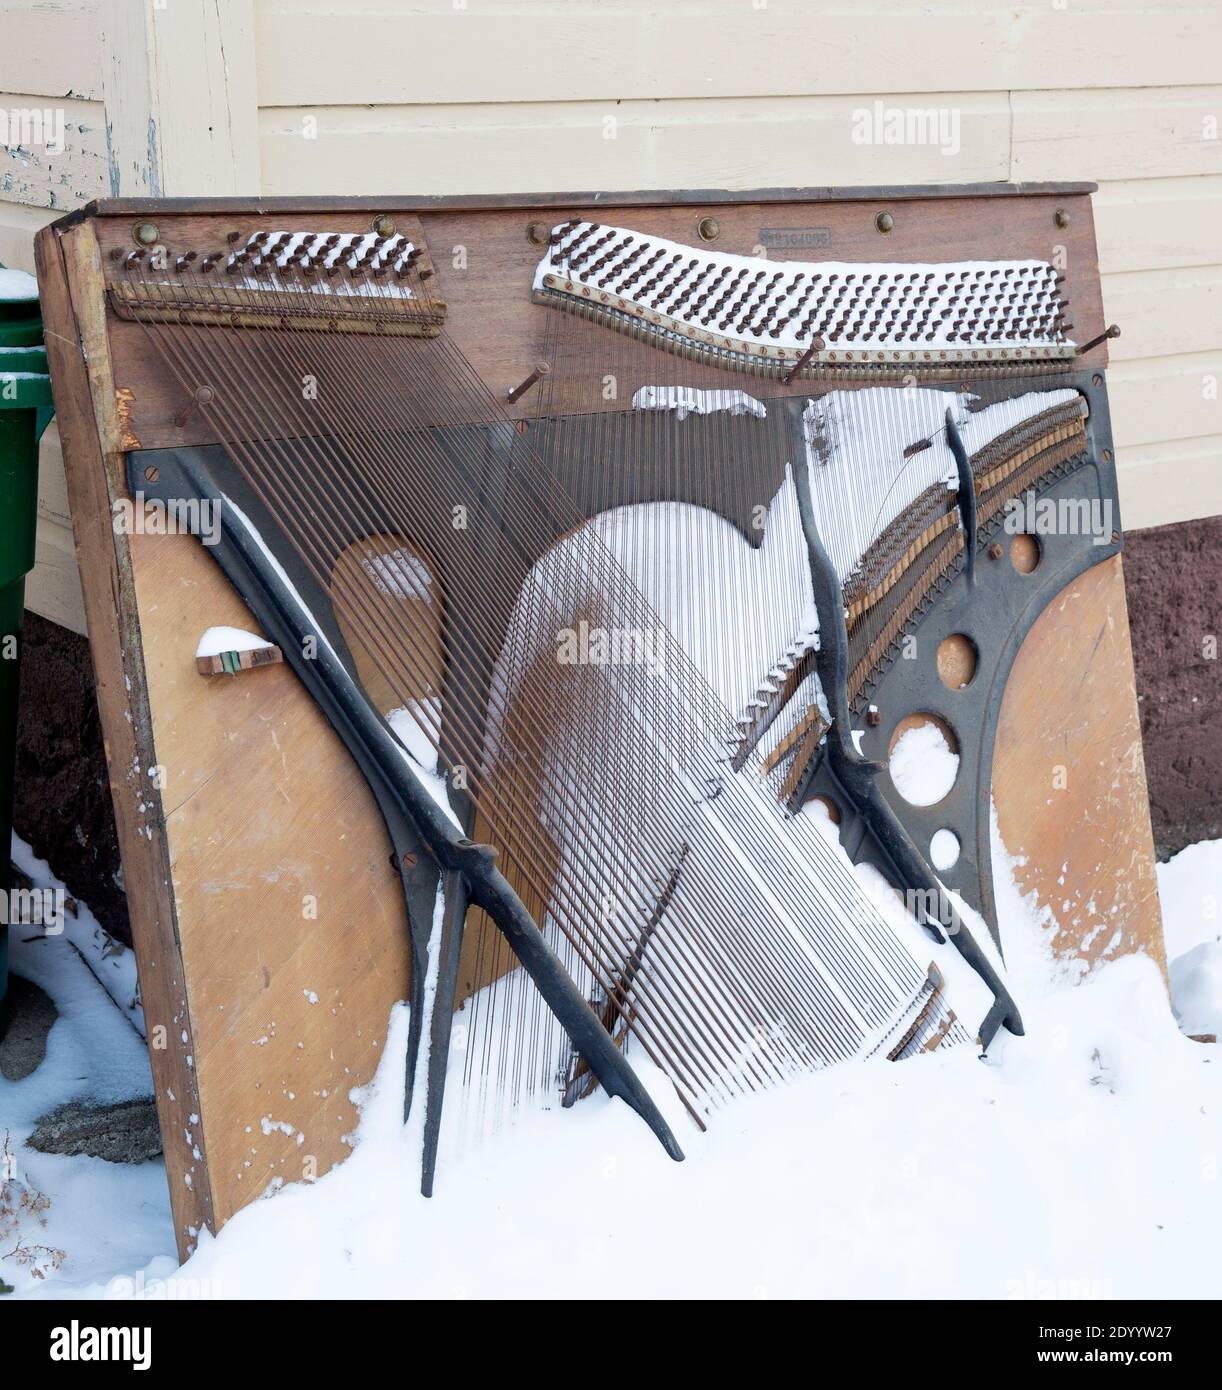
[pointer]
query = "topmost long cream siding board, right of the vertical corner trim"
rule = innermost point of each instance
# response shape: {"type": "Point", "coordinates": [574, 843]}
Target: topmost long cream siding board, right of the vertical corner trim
{"type": "Point", "coordinates": [313, 54]}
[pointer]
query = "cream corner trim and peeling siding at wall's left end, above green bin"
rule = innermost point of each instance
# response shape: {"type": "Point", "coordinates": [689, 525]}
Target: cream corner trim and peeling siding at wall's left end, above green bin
{"type": "Point", "coordinates": [158, 98]}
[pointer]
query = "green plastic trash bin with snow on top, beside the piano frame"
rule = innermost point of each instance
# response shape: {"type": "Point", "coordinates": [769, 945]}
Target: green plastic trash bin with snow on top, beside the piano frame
{"type": "Point", "coordinates": [26, 411]}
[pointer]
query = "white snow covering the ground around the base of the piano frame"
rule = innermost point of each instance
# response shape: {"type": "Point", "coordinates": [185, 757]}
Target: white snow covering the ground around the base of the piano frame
{"type": "Point", "coordinates": [1081, 1161]}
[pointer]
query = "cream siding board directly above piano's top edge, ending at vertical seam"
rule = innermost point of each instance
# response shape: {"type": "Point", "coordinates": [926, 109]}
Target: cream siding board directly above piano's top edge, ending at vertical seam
{"type": "Point", "coordinates": [675, 144]}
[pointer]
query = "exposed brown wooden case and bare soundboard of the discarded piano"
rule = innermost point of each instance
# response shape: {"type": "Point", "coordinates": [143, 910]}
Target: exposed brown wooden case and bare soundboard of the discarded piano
{"type": "Point", "coordinates": [269, 922]}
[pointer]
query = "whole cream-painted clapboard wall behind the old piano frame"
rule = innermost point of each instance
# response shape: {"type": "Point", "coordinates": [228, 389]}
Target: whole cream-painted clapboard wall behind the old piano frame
{"type": "Point", "coordinates": [421, 97]}
